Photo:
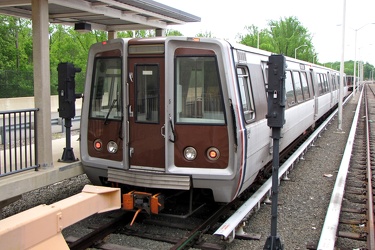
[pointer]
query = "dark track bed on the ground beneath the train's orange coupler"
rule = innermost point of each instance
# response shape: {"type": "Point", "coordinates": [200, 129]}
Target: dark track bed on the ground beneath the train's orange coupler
{"type": "Point", "coordinates": [185, 234]}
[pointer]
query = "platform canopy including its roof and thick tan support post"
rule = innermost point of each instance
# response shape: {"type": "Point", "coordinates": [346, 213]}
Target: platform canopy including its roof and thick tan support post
{"type": "Point", "coordinates": [106, 15]}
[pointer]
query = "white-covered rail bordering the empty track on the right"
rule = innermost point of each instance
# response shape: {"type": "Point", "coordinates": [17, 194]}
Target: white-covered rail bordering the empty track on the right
{"type": "Point", "coordinates": [329, 231]}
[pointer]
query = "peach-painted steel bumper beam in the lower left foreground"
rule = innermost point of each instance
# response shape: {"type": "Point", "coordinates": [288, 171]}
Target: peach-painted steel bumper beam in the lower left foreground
{"type": "Point", "coordinates": [40, 227]}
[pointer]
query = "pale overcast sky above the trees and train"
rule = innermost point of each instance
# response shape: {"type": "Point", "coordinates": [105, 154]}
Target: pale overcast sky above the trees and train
{"type": "Point", "coordinates": [322, 18]}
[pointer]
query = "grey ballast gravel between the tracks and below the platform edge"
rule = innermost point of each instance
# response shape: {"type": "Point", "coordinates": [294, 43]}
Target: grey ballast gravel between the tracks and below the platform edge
{"type": "Point", "coordinates": [303, 200]}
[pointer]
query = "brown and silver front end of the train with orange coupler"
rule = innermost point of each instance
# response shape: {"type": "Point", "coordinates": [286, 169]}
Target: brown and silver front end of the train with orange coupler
{"type": "Point", "coordinates": [157, 118]}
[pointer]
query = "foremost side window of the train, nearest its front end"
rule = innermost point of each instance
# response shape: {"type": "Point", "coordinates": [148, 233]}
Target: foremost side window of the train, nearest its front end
{"type": "Point", "coordinates": [246, 94]}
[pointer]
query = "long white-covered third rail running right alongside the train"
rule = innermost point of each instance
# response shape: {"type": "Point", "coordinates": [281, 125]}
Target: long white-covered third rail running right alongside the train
{"type": "Point", "coordinates": [229, 226]}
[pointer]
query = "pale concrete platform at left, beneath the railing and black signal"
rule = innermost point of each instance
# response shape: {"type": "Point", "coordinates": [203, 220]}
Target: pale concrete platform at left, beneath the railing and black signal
{"type": "Point", "coordinates": [13, 186]}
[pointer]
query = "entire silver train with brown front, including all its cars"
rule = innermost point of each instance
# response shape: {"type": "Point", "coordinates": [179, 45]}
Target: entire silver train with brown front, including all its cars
{"type": "Point", "coordinates": [169, 115]}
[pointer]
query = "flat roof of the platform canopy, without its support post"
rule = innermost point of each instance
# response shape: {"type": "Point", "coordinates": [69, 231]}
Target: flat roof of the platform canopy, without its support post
{"type": "Point", "coordinates": [107, 15]}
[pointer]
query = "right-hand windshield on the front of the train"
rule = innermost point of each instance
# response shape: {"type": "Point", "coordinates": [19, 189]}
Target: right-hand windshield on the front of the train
{"type": "Point", "coordinates": [199, 97]}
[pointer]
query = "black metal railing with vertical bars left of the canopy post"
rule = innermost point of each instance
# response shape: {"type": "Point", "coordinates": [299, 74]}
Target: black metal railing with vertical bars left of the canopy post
{"type": "Point", "coordinates": [18, 141]}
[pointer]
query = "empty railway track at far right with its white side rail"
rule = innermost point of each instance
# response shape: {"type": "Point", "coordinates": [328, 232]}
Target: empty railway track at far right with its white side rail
{"type": "Point", "coordinates": [349, 221]}
